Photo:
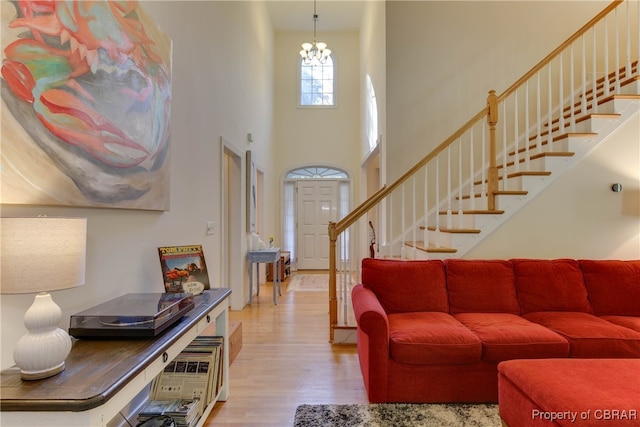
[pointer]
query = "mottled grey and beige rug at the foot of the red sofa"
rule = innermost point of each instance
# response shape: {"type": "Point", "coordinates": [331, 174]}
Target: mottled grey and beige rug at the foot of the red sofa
{"type": "Point", "coordinates": [398, 415]}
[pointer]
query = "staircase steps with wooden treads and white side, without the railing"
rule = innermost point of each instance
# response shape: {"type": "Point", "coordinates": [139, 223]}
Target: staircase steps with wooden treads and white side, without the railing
{"type": "Point", "coordinates": [524, 178]}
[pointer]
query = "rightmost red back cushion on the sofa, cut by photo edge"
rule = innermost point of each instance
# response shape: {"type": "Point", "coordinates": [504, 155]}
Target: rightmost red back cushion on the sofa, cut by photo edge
{"type": "Point", "coordinates": [613, 286]}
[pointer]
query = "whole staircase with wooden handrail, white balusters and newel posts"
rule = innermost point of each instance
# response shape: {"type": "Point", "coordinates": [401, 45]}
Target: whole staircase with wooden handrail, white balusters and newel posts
{"type": "Point", "coordinates": [500, 160]}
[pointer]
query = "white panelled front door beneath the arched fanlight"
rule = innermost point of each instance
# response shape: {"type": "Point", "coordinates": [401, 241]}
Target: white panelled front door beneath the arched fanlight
{"type": "Point", "coordinates": [317, 206]}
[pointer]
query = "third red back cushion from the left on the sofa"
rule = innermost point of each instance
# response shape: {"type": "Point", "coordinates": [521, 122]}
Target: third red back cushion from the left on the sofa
{"type": "Point", "coordinates": [550, 285]}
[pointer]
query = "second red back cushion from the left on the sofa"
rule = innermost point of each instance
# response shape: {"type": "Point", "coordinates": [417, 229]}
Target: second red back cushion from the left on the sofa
{"type": "Point", "coordinates": [479, 286]}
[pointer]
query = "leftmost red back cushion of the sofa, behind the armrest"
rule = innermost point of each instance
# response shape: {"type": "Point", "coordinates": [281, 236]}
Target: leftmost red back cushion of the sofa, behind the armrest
{"type": "Point", "coordinates": [406, 286]}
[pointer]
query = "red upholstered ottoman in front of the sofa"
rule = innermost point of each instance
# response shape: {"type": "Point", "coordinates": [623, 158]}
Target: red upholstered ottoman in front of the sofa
{"type": "Point", "coordinates": [569, 392]}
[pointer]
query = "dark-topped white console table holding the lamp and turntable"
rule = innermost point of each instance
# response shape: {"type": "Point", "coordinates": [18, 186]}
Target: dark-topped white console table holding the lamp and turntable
{"type": "Point", "coordinates": [102, 376]}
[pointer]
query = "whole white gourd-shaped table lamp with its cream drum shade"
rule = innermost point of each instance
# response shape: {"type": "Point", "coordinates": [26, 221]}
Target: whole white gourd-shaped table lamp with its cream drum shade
{"type": "Point", "coordinates": [41, 255]}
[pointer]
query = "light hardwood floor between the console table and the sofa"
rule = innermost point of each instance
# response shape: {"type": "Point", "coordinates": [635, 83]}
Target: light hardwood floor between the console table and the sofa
{"type": "Point", "coordinates": [286, 360]}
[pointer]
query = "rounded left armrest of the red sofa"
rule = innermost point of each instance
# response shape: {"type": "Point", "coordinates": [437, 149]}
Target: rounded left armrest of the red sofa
{"type": "Point", "coordinates": [373, 342]}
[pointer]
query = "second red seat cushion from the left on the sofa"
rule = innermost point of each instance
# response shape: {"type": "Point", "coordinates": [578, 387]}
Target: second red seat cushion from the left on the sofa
{"type": "Point", "coordinates": [507, 336]}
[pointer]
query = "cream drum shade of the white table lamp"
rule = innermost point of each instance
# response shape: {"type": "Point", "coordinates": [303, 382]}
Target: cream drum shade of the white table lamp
{"type": "Point", "coordinates": [42, 254]}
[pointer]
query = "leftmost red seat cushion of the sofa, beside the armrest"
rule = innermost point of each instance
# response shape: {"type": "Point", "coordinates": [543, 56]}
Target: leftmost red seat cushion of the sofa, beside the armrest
{"type": "Point", "coordinates": [431, 338]}
